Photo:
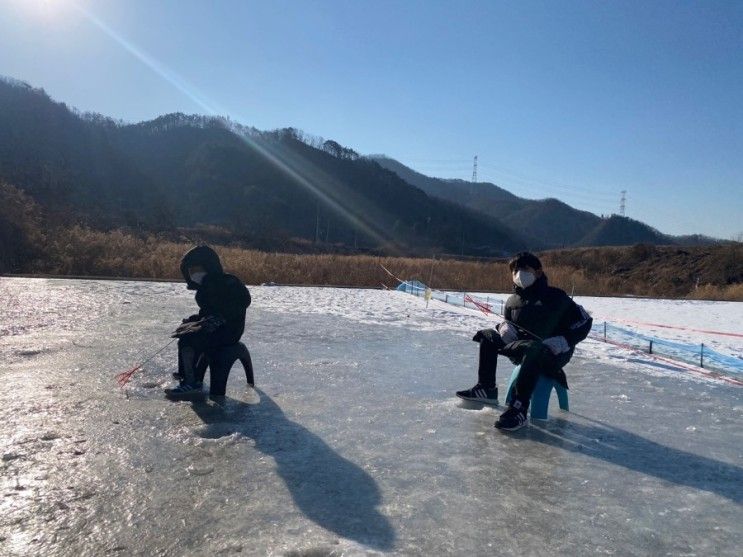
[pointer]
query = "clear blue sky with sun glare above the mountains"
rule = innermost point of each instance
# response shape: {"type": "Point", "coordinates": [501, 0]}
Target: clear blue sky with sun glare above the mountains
{"type": "Point", "coordinates": [574, 100]}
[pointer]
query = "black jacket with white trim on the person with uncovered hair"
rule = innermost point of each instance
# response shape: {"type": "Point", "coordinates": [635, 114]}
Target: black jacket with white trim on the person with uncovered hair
{"type": "Point", "coordinates": [542, 311]}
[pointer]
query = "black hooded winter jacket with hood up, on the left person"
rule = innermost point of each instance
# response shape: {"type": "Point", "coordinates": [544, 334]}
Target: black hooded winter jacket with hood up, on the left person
{"type": "Point", "coordinates": [219, 295]}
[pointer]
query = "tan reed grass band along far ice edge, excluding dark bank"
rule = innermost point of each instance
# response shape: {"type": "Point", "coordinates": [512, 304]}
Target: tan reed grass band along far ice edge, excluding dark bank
{"type": "Point", "coordinates": [81, 251]}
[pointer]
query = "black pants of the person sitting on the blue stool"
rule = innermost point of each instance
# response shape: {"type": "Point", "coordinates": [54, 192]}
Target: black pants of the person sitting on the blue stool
{"type": "Point", "coordinates": [535, 358]}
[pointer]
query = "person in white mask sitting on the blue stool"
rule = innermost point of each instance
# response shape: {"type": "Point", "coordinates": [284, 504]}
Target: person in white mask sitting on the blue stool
{"type": "Point", "coordinates": [541, 328]}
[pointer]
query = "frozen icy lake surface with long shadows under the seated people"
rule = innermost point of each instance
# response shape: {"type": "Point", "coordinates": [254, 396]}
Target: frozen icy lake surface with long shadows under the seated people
{"type": "Point", "coordinates": [353, 443]}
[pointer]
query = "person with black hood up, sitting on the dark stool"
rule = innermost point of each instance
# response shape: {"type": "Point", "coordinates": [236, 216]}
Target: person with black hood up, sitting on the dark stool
{"type": "Point", "coordinates": [222, 300]}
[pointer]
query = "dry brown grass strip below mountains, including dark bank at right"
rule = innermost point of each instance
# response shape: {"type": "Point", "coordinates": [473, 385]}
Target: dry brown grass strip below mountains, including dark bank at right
{"type": "Point", "coordinates": [698, 273]}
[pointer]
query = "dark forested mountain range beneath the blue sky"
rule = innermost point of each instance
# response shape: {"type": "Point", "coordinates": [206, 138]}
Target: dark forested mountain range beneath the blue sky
{"type": "Point", "coordinates": [274, 190]}
